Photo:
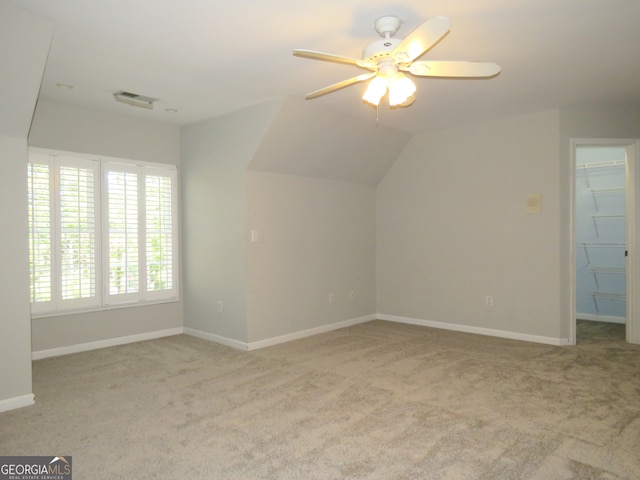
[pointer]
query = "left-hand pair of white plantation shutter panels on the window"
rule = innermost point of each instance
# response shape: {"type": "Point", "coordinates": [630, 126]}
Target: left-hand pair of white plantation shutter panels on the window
{"type": "Point", "coordinates": [63, 232]}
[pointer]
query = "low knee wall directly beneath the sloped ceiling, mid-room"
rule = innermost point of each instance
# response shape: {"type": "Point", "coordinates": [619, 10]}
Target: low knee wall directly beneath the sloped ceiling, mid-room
{"type": "Point", "coordinates": [315, 237]}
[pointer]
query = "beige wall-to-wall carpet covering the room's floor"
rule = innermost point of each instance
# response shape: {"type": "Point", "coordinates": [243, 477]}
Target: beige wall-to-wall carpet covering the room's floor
{"type": "Point", "coordinates": [375, 401]}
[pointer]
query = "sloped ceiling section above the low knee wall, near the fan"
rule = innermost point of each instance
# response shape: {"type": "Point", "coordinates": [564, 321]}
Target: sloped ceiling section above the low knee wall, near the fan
{"type": "Point", "coordinates": [312, 140]}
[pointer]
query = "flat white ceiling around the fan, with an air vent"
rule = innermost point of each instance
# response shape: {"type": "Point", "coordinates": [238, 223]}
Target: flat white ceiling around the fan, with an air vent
{"type": "Point", "coordinates": [206, 58]}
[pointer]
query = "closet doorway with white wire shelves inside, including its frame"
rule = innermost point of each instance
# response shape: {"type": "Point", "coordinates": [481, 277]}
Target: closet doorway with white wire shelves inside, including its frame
{"type": "Point", "coordinates": [603, 260]}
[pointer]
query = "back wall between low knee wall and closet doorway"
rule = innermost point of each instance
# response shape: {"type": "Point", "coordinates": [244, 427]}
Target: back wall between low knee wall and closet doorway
{"type": "Point", "coordinates": [452, 228]}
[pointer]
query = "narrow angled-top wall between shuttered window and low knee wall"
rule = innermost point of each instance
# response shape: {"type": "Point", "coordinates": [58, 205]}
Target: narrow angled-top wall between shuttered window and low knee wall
{"type": "Point", "coordinates": [215, 155]}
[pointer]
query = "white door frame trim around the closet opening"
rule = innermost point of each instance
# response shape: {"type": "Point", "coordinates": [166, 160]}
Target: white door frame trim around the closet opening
{"type": "Point", "coordinates": [632, 179]}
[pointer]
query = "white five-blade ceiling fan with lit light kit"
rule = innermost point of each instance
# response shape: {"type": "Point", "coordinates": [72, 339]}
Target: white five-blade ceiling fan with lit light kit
{"type": "Point", "coordinates": [388, 60]}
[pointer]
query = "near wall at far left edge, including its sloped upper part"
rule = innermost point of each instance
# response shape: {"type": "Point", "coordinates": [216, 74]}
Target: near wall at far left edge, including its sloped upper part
{"type": "Point", "coordinates": [25, 39]}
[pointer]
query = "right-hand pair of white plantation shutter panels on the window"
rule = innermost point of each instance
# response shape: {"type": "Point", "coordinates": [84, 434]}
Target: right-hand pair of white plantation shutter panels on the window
{"type": "Point", "coordinates": [141, 232]}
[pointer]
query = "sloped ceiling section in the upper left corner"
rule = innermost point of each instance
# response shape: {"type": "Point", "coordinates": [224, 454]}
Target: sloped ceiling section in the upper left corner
{"type": "Point", "coordinates": [25, 39]}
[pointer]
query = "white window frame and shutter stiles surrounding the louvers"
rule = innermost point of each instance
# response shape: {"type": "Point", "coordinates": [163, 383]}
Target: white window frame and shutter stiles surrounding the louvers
{"type": "Point", "coordinates": [103, 299]}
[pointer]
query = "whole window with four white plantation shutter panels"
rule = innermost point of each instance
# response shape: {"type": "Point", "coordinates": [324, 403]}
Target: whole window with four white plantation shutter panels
{"type": "Point", "coordinates": [95, 243]}
